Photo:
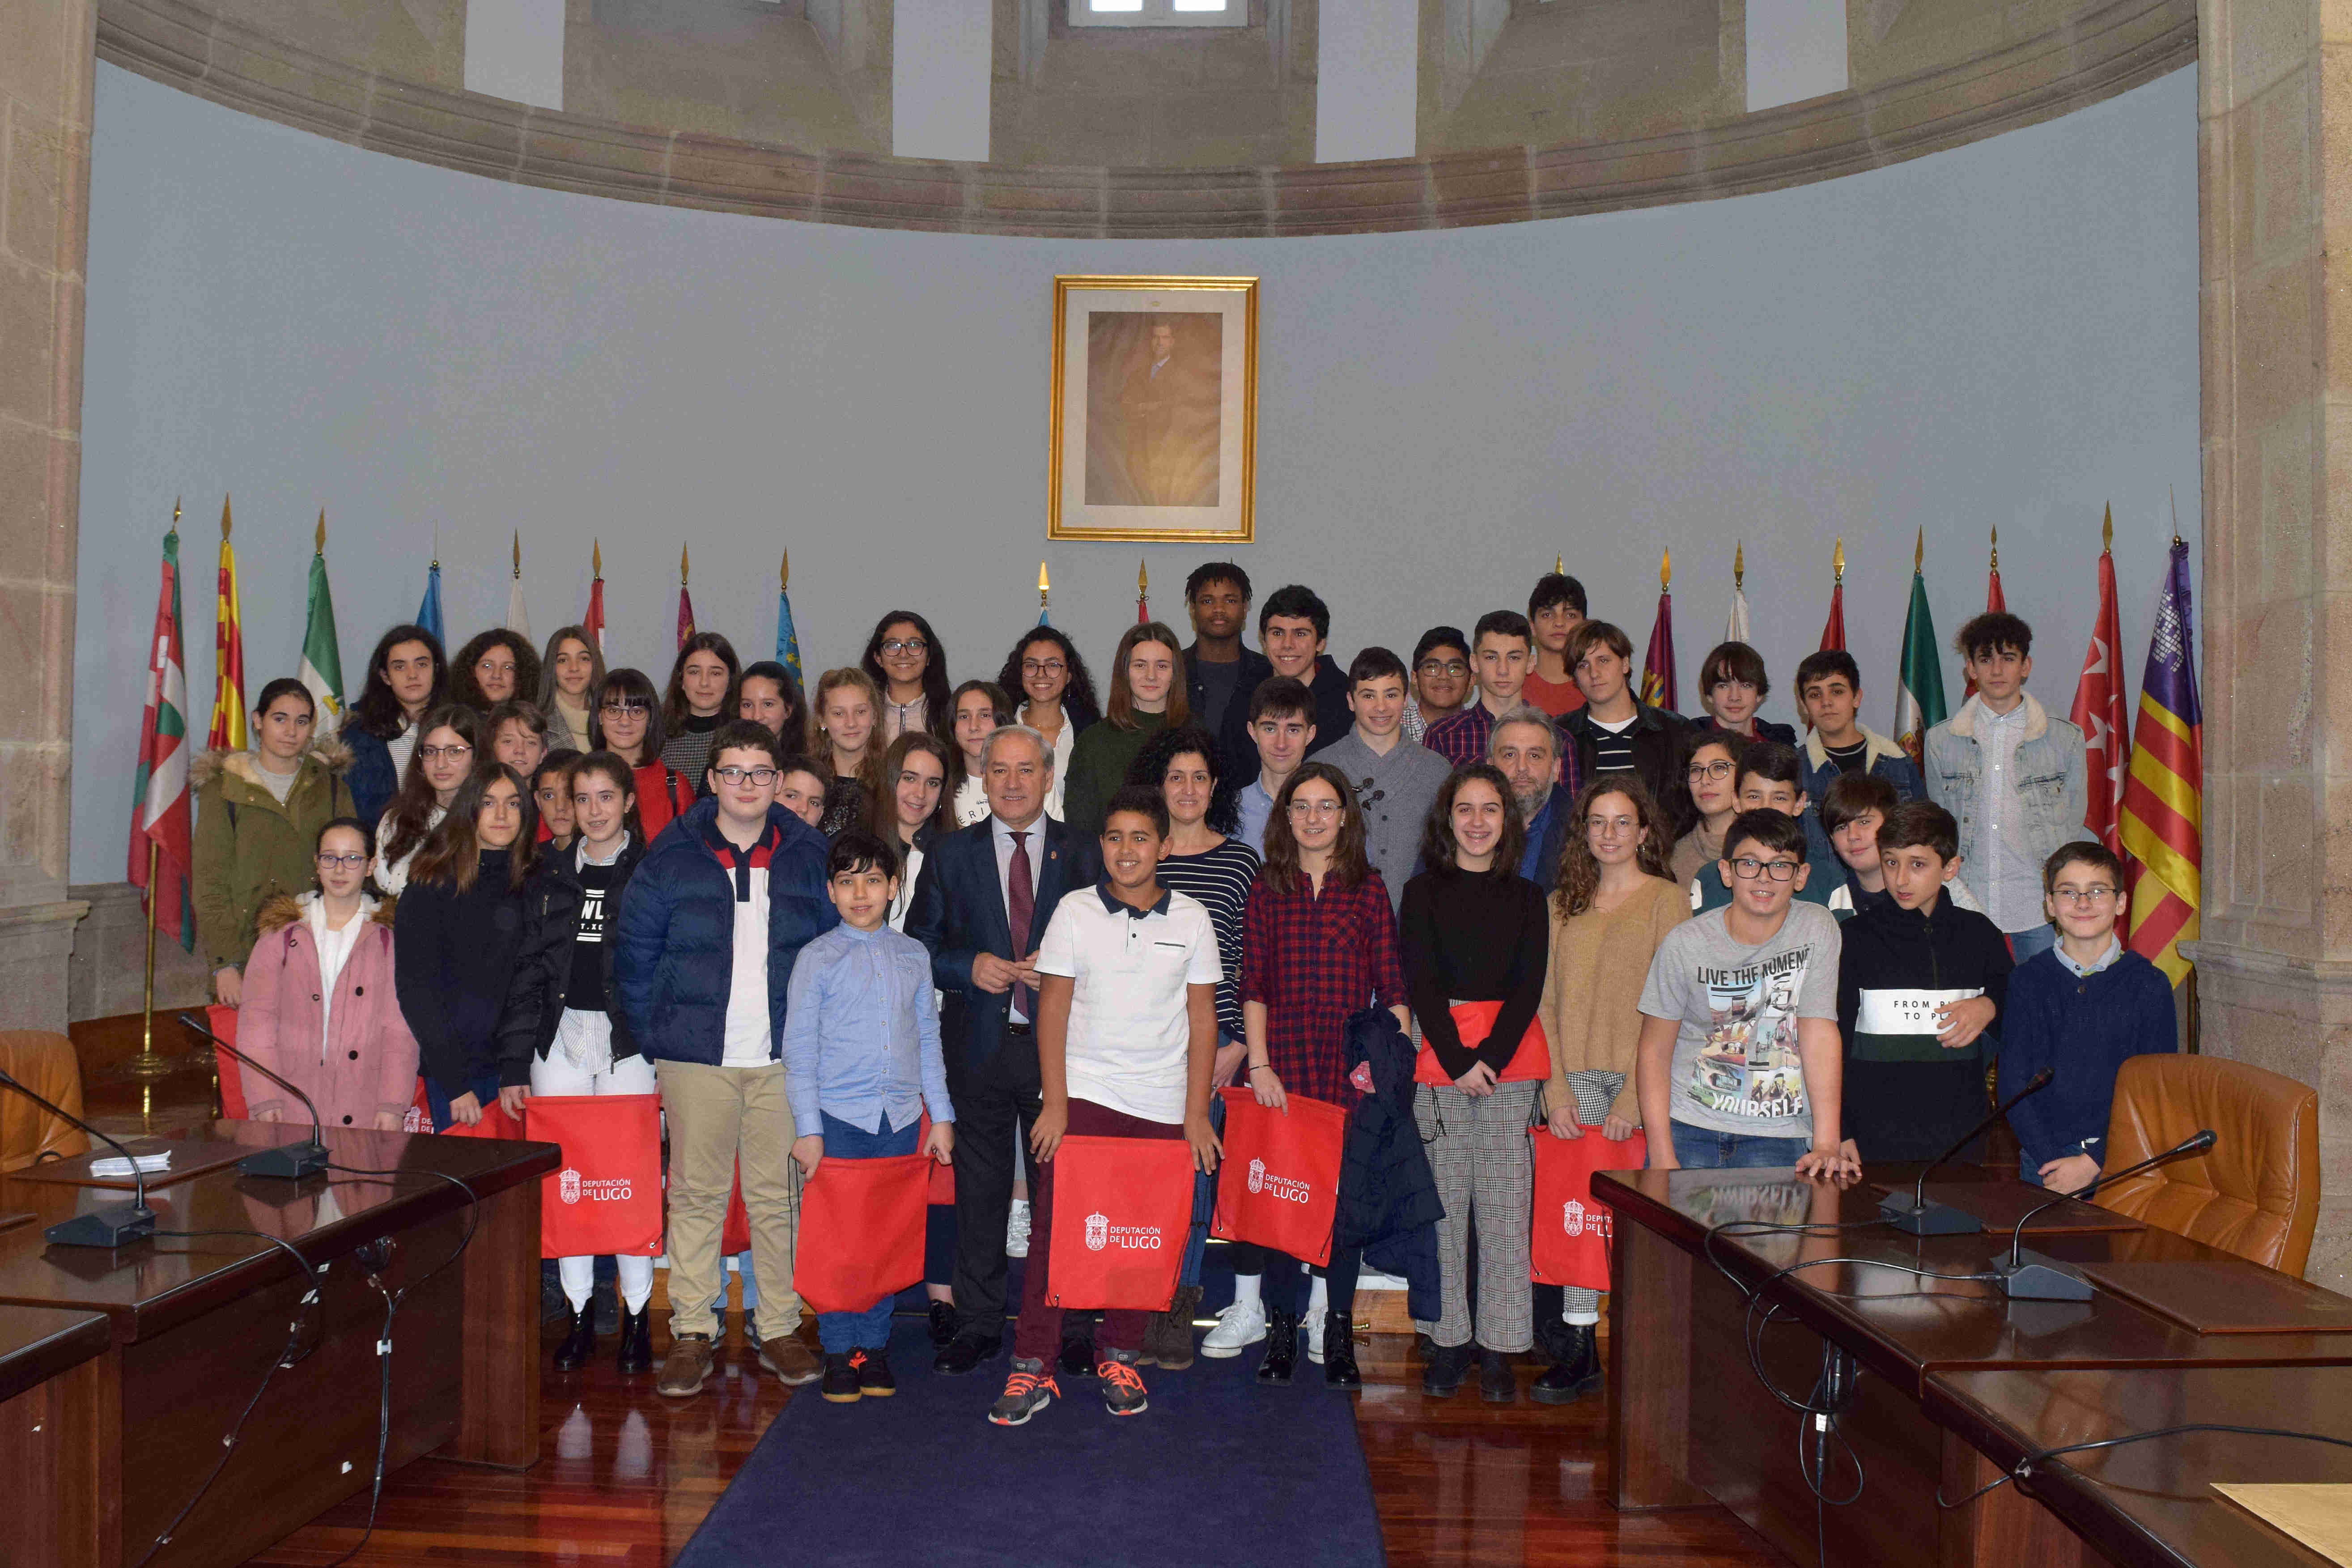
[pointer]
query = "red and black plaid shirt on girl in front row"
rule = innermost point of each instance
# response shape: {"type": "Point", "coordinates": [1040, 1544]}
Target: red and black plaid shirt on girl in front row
{"type": "Point", "coordinates": [1314, 960]}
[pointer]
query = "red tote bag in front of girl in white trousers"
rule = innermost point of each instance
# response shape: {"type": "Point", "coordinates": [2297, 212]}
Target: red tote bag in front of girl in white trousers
{"type": "Point", "coordinates": [606, 1198]}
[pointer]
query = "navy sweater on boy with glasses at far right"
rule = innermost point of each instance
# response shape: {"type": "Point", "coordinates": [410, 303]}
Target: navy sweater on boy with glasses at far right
{"type": "Point", "coordinates": [2083, 1028]}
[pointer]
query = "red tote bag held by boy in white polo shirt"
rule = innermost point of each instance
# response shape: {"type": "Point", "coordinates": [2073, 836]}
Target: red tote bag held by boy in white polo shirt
{"type": "Point", "coordinates": [1123, 1214]}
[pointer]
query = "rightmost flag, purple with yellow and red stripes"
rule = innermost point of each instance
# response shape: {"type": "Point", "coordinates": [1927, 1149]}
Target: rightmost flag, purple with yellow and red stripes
{"type": "Point", "coordinates": [2165, 796]}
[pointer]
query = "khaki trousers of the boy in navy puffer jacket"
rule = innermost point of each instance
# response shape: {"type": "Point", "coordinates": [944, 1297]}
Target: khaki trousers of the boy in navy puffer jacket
{"type": "Point", "coordinates": [721, 1115]}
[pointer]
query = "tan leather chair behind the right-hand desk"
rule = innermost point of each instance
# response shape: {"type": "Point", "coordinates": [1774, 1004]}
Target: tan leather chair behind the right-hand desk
{"type": "Point", "coordinates": [2254, 1193]}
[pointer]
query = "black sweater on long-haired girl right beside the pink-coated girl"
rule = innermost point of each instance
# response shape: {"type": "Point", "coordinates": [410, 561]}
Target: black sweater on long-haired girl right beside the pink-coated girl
{"type": "Point", "coordinates": [453, 960]}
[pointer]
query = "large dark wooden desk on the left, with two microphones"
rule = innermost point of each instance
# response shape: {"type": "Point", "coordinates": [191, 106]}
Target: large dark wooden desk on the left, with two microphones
{"type": "Point", "coordinates": [196, 1322]}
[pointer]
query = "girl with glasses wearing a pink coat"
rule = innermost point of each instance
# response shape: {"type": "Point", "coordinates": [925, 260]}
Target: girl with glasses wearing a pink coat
{"type": "Point", "coordinates": [319, 998]}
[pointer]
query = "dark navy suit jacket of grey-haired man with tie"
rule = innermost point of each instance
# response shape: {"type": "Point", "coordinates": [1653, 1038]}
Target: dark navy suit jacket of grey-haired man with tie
{"type": "Point", "coordinates": [958, 913]}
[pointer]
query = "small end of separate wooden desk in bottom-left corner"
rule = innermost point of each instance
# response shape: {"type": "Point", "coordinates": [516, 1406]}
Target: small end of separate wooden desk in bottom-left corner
{"type": "Point", "coordinates": [53, 1400]}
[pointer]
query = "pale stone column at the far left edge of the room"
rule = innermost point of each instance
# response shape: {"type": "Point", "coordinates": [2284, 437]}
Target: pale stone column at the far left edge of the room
{"type": "Point", "coordinates": [48, 58]}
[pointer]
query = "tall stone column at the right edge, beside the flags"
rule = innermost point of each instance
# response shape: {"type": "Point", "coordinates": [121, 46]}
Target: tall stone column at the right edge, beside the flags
{"type": "Point", "coordinates": [2276, 194]}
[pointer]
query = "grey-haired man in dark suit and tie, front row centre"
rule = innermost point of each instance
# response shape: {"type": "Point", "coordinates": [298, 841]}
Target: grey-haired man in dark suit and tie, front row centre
{"type": "Point", "coordinates": [982, 904]}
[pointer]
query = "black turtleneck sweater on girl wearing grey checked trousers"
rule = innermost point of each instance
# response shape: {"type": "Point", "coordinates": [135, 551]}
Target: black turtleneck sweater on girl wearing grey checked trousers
{"type": "Point", "coordinates": [1474, 937]}
